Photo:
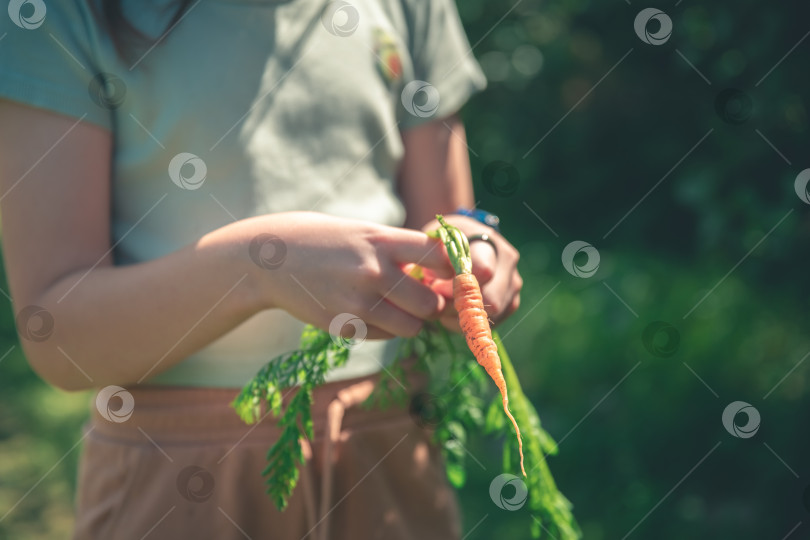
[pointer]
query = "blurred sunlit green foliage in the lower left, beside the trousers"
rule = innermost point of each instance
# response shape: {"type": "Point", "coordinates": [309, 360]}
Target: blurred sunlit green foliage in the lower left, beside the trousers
{"type": "Point", "coordinates": [39, 429]}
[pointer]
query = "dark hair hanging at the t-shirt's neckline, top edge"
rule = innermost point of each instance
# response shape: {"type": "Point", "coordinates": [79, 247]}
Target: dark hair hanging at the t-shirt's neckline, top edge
{"type": "Point", "coordinates": [126, 37]}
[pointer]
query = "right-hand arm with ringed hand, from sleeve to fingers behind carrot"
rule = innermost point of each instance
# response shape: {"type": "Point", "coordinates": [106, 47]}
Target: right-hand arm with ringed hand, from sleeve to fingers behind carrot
{"type": "Point", "coordinates": [435, 178]}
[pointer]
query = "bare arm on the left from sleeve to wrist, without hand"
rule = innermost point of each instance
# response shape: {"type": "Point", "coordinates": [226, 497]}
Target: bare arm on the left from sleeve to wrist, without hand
{"type": "Point", "coordinates": [115, 323]}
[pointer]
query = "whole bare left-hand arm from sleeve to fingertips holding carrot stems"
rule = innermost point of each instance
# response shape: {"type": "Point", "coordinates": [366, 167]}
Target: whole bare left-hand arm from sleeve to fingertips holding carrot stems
{"type": "Point", "coordinates": [123, 324]}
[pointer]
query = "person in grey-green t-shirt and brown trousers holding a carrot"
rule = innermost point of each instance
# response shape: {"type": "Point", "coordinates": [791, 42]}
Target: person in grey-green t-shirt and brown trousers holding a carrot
{"type": "Point", "coordinates": [184, 185]}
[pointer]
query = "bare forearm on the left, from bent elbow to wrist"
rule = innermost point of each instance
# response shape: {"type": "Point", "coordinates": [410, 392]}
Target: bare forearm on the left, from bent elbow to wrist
{"type": "Point", "coordinates": [122, 325]}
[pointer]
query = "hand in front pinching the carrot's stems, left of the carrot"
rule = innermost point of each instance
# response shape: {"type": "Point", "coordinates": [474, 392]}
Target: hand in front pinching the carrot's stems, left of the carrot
{"type": "Point", "coordinates": [335, 265]}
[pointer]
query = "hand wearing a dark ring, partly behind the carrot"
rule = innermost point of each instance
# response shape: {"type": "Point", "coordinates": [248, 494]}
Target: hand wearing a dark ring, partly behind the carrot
{"type": "Point", "coordinates": [496, 273]}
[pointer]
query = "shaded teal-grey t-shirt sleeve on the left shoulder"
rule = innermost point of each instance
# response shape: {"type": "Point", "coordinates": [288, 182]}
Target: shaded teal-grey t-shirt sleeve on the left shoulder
{"type": "Point", "coordinates": [46, 58]}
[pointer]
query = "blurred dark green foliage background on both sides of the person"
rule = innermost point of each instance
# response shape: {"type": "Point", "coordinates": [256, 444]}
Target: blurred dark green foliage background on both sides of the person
{"type": "Point", "coordinates": [642, 447]}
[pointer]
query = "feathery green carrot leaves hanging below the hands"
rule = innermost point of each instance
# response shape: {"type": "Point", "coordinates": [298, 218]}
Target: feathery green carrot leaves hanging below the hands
{"type": "Point", "coordinates": [461, 393]}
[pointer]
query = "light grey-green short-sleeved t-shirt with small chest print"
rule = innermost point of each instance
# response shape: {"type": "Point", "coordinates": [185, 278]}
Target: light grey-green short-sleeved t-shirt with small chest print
{"type": "Point", "coordinates": [245, 108]}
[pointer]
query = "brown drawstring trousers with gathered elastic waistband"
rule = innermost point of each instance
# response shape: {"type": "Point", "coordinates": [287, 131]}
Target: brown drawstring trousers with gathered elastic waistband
{"type": "Point", "coordinates": [184, 466]}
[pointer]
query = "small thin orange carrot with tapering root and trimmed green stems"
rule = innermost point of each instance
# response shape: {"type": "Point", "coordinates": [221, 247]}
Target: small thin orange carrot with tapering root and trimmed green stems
{"type": "Point", "coordinates": [472, 316]}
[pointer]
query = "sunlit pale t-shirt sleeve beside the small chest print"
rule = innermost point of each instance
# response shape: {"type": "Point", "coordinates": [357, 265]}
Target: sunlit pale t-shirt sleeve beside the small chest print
{"type": "Point", "coordinates": [445, 72]}
